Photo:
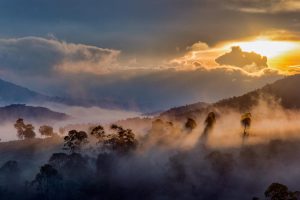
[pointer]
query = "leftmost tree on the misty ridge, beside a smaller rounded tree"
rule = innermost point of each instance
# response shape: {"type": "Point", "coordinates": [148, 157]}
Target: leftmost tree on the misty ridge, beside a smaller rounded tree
{"type": "Point", "coordinates": [24, 131]}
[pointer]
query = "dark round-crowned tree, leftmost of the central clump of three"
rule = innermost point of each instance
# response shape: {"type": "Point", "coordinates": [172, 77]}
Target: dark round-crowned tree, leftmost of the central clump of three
{"type": "Point", "coordinates": [75, 140]}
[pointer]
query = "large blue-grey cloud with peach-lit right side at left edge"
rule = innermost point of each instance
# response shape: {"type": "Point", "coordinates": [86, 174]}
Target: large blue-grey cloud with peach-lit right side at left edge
{"type": "Point", "coordinates": [37, 56]}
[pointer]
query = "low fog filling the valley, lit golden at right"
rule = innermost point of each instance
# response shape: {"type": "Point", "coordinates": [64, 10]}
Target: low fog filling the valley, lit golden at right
{"type": "Point", "coordinates": [170, 161]}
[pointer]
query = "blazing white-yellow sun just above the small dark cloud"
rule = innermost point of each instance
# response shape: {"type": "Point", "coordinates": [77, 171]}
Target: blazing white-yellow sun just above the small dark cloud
{"type": "Point", "coordinates": [265, 47]}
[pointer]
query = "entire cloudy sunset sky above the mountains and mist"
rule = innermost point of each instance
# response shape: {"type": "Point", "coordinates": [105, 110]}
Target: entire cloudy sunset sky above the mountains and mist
{"type": "Point", "coordinates": [148, 55]}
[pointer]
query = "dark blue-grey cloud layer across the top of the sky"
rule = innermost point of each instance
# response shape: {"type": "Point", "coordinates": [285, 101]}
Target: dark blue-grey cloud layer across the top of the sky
{"type": "Point", "coordinates": [134, 28]}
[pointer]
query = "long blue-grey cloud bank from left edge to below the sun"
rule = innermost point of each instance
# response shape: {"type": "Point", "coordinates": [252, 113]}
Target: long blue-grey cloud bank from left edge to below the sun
{"type": "Point", "coordinates": [56, 68]}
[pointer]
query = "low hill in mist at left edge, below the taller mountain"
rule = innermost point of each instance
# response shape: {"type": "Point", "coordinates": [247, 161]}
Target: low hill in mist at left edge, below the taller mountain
{"type": "Point", "coordinates": [29, 113]}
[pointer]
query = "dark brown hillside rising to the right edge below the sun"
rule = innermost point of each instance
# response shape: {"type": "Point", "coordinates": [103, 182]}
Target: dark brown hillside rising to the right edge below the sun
{"type": "Point", "coordinates": [285, 91]}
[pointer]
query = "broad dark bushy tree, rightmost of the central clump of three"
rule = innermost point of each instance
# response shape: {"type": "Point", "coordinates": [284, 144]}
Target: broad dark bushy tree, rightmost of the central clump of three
{"type": "Point", "coordinates": [123, 141]}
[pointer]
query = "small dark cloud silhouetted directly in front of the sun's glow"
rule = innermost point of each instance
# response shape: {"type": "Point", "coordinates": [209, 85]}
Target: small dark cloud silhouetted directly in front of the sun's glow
{"type": "Point", "coordinates": [249, 61]}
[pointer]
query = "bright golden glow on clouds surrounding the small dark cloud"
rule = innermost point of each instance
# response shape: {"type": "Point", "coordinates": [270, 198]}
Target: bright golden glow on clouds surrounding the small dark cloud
{"type": "Point", "coordinates": [282, 49]}
